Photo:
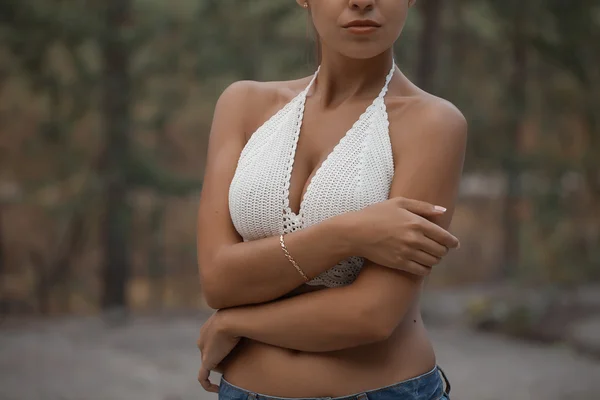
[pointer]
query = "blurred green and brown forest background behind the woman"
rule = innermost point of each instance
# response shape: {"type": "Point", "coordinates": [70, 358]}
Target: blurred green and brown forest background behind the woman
{"type": "Point", "coordinates": [105, 109]}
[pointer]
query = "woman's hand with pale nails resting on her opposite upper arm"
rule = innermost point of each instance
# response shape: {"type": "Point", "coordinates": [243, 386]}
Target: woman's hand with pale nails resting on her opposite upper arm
{"type": "Point", "coordinates": [395, 233]}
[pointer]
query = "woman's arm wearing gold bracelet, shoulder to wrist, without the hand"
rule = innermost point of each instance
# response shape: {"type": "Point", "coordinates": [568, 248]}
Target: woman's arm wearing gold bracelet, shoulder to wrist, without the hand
{"type": "Point", "coordinates": [233, 272]}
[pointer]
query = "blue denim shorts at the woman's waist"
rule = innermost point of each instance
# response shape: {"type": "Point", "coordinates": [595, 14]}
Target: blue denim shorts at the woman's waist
{"type": "Point", "coordinates": [432, 385]}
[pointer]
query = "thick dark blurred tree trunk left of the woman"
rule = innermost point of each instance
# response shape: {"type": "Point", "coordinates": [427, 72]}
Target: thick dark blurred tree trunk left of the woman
{"type": "Point", "coordinates": [116, 111]}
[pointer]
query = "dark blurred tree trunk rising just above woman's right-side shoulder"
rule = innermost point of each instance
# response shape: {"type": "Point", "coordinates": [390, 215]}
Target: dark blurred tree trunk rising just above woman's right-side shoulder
{"type": "Point", "coordinates": [431, 13]}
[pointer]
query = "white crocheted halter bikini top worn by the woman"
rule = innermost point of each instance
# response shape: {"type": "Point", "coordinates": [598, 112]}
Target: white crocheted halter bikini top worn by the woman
{"type": "Point", "coordinates": [358, 172]}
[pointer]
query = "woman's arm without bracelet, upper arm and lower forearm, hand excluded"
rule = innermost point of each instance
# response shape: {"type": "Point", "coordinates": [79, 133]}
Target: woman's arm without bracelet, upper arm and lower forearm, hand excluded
{"type": "Point", "coordinates": [428, 167]}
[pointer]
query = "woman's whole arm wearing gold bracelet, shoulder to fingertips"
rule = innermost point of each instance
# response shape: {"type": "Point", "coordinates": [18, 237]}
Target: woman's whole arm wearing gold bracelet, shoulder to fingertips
{"type": "Point", "coordinates": [234, 272]}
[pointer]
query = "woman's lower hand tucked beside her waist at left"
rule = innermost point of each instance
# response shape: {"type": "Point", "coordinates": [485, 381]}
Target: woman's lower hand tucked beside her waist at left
{"type": "Point", "coordinates": [214, 343]}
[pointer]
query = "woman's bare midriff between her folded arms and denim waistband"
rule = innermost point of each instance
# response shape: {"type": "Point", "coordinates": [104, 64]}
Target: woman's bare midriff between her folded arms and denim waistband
{"type": "Point", "coordinates": [276, 371]}
